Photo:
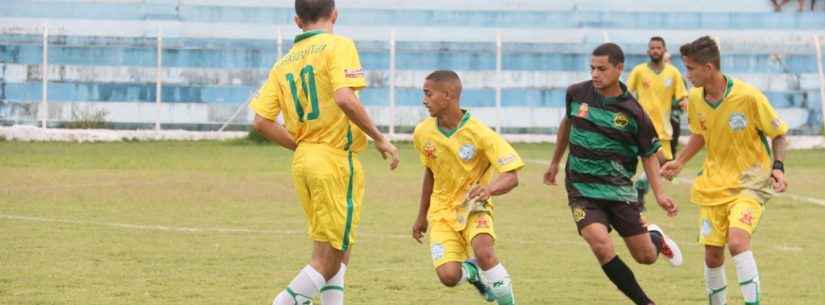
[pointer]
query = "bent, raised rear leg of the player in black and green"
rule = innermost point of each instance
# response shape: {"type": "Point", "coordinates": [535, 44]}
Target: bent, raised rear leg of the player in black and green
{"type": "Point", "coordinates": [645, 242]}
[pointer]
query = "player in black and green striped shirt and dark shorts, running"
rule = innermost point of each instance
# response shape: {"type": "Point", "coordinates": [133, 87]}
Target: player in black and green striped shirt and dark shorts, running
{"type": "Point", "coordinates": [607, 132]}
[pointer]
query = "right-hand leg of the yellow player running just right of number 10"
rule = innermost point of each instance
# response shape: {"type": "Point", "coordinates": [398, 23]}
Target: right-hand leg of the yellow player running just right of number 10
{"type": "Point", "coordinates": [495, 283]}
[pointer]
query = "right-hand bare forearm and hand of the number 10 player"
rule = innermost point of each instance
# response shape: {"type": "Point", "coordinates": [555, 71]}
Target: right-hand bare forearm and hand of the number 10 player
{"type": "Point", "coordinates": [346, 99]}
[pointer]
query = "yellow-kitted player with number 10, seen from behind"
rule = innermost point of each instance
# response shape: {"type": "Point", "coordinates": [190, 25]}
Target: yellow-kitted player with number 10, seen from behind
{"type": "Point", "coordinates": [314, 88]}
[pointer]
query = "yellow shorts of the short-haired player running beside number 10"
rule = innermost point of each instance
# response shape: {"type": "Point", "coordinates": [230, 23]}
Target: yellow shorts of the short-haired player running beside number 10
{"type": "Point", "coordinates": [449, 245]}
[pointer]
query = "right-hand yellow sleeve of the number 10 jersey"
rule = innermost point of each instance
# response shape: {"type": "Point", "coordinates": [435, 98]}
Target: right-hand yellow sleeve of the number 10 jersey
{"type": "Point", "coordinates": [345, 66]}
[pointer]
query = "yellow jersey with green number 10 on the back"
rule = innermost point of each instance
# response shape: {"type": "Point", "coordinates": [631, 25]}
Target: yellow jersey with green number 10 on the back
{"type": "Point", "coordinates": [301, 86]}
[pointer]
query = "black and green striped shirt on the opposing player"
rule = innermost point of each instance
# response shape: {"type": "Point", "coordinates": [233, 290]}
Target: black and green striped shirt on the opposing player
{"type": "Point", "coordinates": [607, 137]}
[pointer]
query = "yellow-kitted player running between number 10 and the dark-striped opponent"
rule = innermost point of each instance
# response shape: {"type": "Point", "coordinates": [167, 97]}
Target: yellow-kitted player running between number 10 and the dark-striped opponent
{"type": "Point", "coordinates": [460, 154]}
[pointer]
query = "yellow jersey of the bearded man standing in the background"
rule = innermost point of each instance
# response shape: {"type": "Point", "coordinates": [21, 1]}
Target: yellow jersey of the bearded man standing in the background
{"type": "Point", "coordinates": [656, 93]}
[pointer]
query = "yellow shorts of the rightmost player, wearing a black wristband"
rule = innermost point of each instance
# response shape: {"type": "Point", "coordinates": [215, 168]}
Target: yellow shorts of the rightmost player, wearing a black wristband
{"type": "Point", "coordinates": [715, 221]}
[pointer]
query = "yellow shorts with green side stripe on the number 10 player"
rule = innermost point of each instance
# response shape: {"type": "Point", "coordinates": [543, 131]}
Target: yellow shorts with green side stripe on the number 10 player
{"type": "Point", "coordinates": [330, 185]}
